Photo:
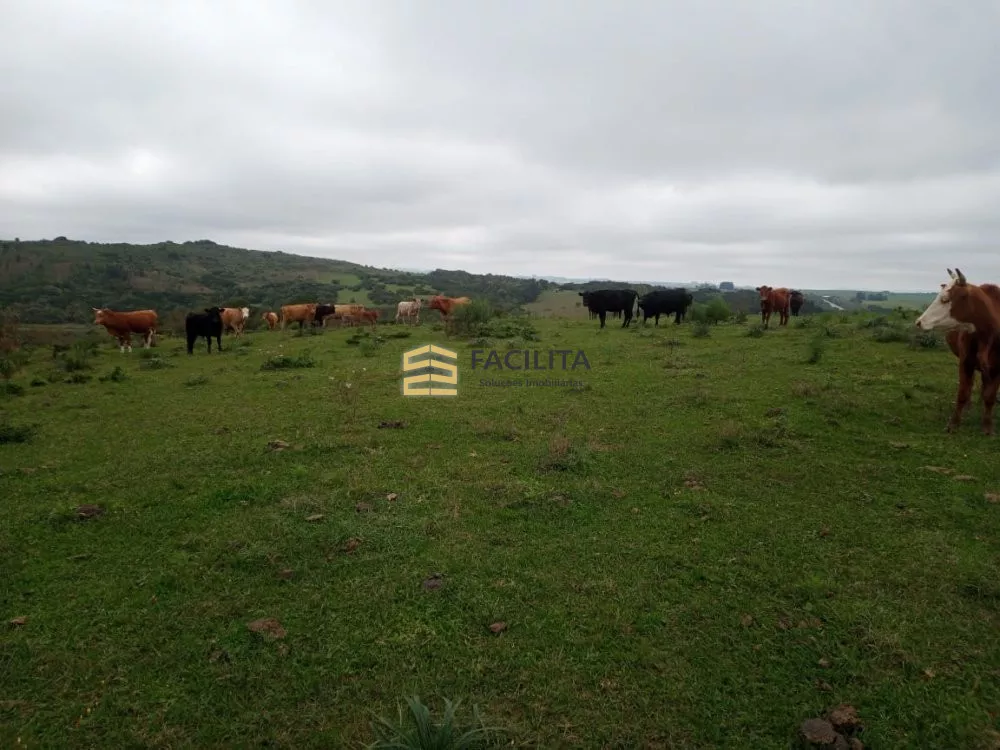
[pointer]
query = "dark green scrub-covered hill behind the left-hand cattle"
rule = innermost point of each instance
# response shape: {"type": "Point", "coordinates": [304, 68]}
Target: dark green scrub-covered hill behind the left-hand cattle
{"type": "Point", "coordinates": [60, 280]}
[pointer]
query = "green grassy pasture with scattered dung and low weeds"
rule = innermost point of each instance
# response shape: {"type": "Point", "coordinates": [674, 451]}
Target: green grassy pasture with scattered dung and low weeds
{"type": "Point", "coordinates": [710, 541]}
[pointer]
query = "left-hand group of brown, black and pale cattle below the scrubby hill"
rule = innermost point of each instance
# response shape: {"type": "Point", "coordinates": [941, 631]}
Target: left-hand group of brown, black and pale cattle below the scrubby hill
{"type": "Point", "coordinates": [214, 321]}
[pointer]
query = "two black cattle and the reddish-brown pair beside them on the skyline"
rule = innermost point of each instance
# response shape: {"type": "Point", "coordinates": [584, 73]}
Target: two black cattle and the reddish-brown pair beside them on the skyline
{"type": "Point", "coordinates": [676, 302]}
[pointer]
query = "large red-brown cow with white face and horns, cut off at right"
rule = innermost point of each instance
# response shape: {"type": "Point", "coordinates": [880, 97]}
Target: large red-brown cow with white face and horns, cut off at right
{"type": "Point", "coordinates": [970, 313]}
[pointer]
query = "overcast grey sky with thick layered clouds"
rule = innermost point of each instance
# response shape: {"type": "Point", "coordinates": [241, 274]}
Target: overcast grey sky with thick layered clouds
{"type": "Point", "coordinates": [835, 143]}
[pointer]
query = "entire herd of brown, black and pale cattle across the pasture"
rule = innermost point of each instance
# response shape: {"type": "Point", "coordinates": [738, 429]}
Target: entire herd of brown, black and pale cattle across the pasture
{"type": "Point", "coordinates": [968, 313]}
